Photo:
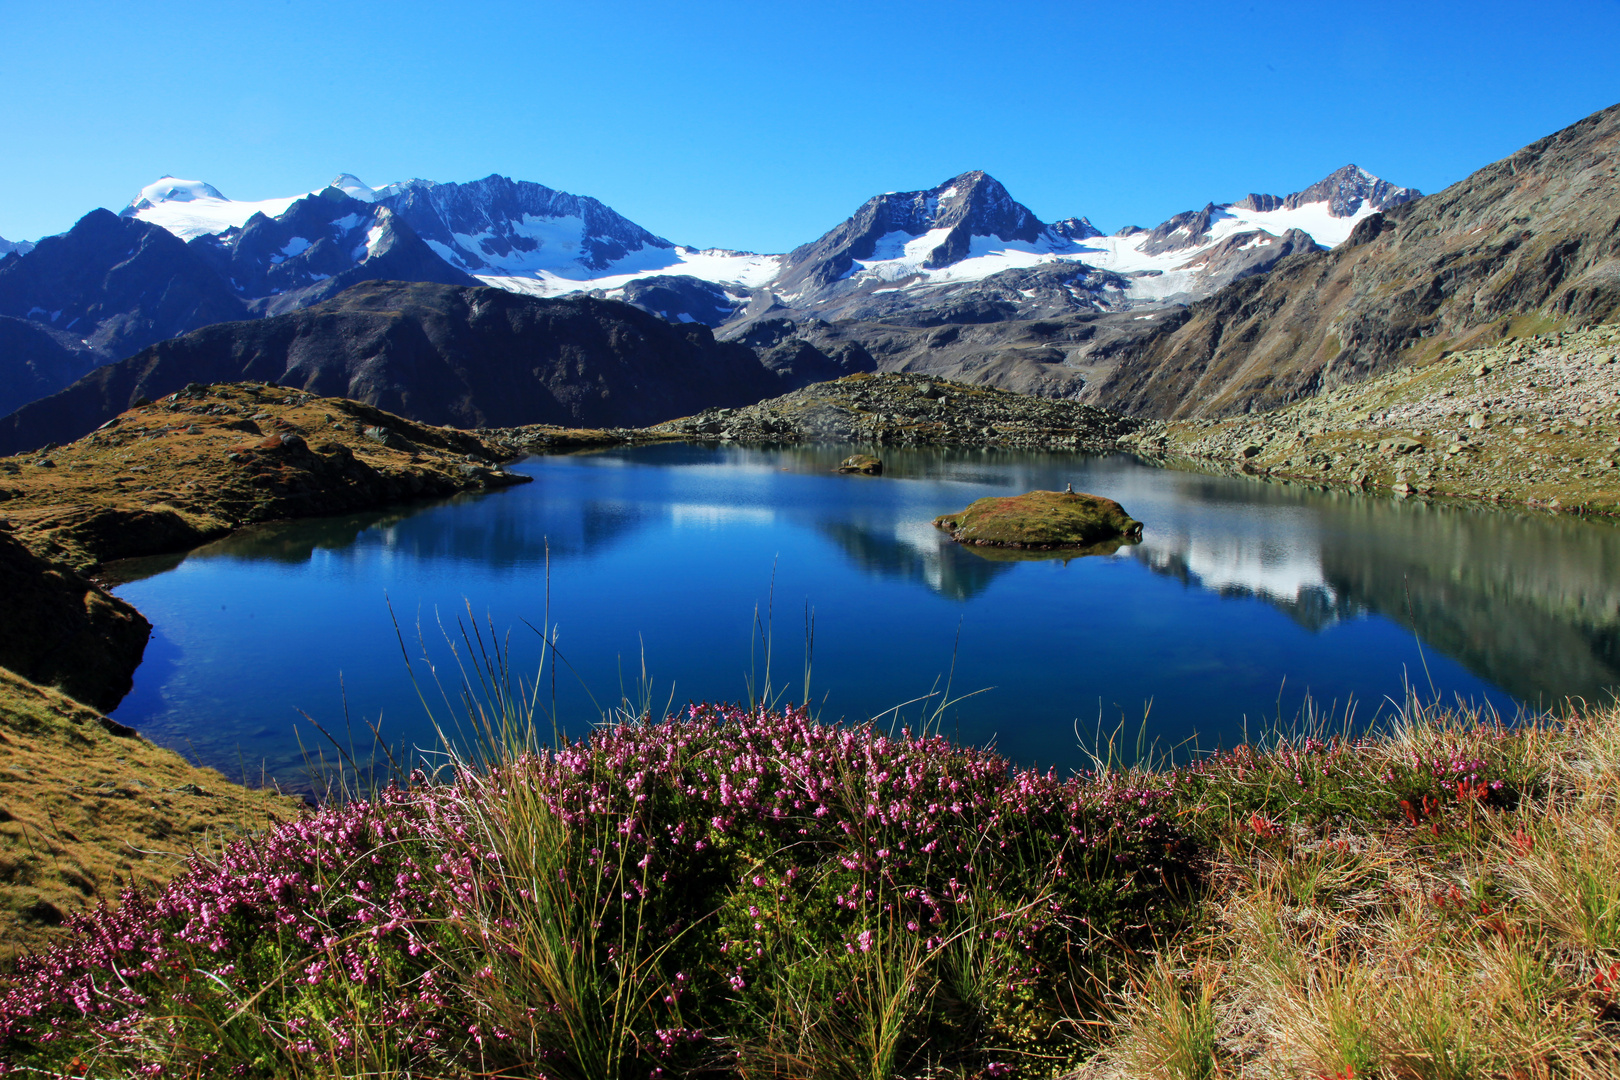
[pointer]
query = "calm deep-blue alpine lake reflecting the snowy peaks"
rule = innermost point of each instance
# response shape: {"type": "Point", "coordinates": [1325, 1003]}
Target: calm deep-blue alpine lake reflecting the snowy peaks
{"type": "Point", "coordinates": [1242, 600]}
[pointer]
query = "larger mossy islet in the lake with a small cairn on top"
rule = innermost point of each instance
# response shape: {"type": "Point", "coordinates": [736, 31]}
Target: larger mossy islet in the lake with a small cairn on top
{"type": "Point", "coordinates": [1041, 521]}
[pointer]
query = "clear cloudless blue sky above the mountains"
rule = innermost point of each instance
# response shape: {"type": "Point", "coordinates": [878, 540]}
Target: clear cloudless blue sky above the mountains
{"type": "Point", "coordinates": [761, 125]}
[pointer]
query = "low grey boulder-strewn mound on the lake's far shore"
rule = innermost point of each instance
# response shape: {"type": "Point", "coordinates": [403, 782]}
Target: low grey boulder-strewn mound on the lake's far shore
{"type": "Point", "coordinates": [910, 410]}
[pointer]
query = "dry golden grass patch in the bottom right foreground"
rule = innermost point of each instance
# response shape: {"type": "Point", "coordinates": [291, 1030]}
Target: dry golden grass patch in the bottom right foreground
{"type": "Point", "coordinates": [1481, 945]}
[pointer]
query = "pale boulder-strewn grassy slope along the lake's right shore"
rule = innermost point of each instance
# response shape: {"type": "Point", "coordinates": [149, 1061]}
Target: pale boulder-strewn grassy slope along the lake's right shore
{"type": "Point", "coordinates": [1533, 422]}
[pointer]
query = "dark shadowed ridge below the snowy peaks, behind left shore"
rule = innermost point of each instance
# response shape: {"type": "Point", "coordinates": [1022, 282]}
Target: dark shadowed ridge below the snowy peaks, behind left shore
{"type": "Point", "coordinates": [437, 354]}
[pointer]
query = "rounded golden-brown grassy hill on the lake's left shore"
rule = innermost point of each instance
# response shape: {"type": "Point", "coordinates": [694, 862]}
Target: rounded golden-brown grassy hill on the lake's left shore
{"type": "Point", "coordinates": [210, 459]}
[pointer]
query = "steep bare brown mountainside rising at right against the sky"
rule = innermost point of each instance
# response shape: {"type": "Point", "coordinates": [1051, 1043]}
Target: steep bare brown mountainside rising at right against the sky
{"type": "Point", "coordinates": [1519, 247]}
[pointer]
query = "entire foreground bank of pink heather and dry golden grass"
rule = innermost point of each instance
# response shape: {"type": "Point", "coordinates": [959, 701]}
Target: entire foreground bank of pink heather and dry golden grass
{"type": "Point", "coordinates": [748, 893]}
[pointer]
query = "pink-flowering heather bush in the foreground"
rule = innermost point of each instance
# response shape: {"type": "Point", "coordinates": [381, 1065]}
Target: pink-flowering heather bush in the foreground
{"type": "Point", "coordinates": [731, 891]}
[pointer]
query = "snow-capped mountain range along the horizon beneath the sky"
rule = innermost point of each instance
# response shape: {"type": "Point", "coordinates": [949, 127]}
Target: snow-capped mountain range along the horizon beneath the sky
{"type": "Point", "coordinates": [184, 255]}
